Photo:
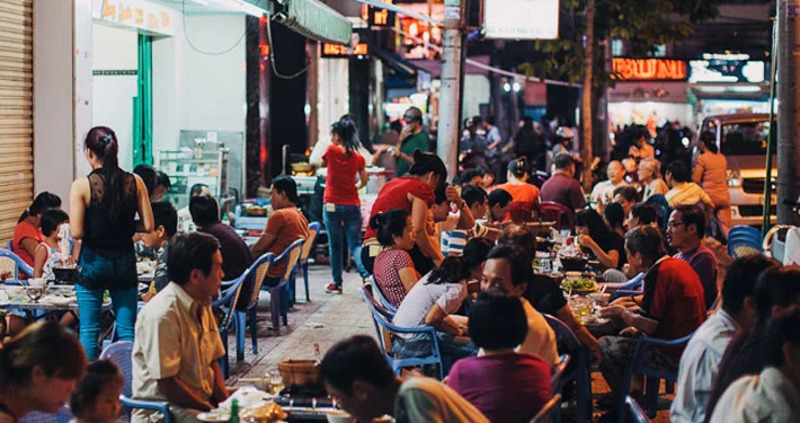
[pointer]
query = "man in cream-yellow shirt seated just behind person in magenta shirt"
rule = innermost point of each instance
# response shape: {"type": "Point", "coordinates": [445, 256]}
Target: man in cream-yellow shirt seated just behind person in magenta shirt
{"type": "Point", "coordinates": [508, 272]}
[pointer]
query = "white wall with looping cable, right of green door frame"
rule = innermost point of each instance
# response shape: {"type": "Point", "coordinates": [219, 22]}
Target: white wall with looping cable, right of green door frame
{"type": "Point", "coordinates": [197, 91]}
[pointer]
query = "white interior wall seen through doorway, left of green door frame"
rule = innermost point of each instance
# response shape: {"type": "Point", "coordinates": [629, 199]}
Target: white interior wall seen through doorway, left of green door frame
{"type": "Point", "coordinates": [115, 49]}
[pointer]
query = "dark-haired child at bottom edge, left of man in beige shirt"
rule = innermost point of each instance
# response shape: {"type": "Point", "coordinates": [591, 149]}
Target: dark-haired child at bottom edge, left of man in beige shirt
{"type": "Point", "coordinates": [97, 398]}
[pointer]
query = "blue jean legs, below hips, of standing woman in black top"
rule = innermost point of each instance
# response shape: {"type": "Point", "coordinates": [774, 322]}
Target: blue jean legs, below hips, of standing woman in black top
{"type": "Point", "coordinates": [90, 310]}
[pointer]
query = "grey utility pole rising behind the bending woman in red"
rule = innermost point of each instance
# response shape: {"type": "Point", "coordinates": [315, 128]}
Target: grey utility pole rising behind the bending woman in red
{"type": "Point", "coordinates": [449, 98]}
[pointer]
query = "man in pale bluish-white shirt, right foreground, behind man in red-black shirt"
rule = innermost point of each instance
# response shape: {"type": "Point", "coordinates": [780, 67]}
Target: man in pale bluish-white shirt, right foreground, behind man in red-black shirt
{"type": "Point", "coordinates": [699, 364]}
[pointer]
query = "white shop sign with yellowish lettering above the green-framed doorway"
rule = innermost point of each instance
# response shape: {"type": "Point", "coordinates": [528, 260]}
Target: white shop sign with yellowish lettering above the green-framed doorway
{"type": "Point", "coordinates": [137, 14]}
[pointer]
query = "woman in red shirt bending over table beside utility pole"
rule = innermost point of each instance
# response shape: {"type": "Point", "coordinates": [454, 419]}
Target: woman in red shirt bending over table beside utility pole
{"type": "Point", "coordinates": [414, 194]}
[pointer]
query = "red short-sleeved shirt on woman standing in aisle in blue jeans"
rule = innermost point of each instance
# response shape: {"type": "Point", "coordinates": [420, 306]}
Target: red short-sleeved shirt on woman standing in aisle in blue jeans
{"type": "Point", "coordinates": [340, 185]}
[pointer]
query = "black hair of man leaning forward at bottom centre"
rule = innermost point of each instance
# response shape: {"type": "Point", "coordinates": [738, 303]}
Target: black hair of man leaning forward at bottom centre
{"type": "Point", "coordinates": [355, 358]}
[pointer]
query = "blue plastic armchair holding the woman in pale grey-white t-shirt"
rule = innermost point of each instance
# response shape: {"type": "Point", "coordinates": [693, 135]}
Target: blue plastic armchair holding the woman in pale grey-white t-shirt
{"type": "Point", "coordinates": [381, 319]}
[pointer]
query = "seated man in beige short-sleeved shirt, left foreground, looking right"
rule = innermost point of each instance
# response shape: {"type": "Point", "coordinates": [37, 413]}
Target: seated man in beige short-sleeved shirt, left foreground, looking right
{"type": "Point", "coordinates": [177, 340]}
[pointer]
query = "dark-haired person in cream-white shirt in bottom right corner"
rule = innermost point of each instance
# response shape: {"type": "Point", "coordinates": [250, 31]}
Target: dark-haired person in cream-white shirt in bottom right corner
{"type": "Point", "coordinates": [774, 394]}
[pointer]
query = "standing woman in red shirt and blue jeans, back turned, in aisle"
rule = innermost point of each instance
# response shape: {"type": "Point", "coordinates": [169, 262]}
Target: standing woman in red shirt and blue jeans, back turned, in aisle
{"type": "Point", "coordinates": [342, 208]}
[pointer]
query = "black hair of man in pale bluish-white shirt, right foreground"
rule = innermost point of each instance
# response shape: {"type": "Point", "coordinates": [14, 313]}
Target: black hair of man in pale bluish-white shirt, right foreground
{"type": "Point", "coordinates": [741, 279]}
